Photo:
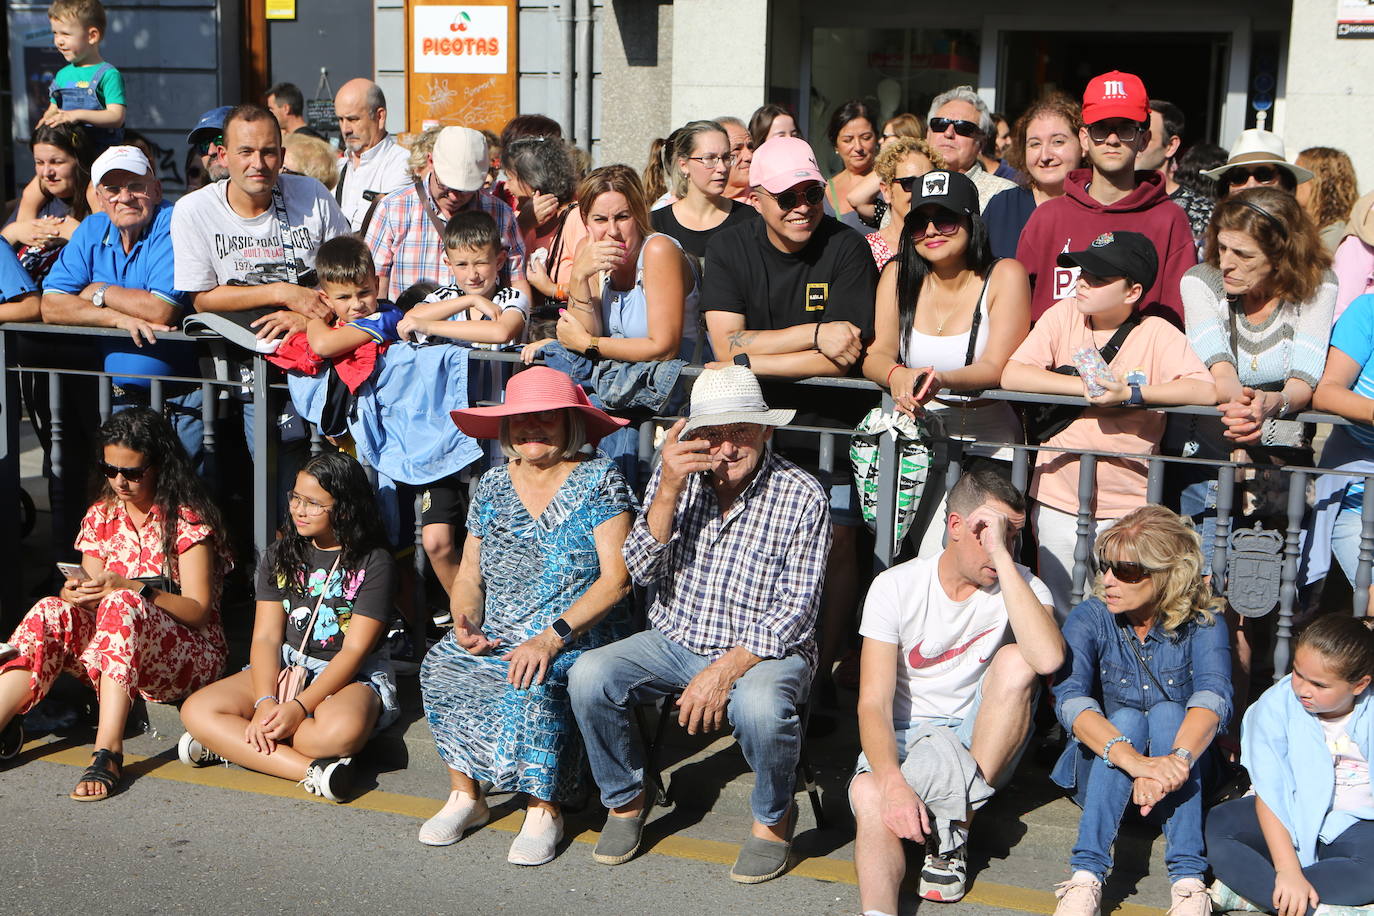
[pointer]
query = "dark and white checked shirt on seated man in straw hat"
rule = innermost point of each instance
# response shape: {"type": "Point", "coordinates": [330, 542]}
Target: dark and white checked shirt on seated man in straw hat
{"type": "Point", "coordinates": [751, 577]}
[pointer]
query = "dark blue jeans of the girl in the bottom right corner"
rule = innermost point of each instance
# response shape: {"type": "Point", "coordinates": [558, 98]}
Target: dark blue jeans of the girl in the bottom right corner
{"type": "Point", "coordinates": [1240, 858]}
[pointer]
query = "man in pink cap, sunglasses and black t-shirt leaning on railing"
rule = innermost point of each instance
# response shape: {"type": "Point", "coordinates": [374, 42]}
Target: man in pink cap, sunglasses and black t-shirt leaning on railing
{"type": "Point", "coordinates": [795, 292]}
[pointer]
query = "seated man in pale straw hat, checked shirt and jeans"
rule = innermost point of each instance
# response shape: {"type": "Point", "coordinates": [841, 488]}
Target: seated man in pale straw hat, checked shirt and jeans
{"type": "Point", "coordinates": [734, 543]}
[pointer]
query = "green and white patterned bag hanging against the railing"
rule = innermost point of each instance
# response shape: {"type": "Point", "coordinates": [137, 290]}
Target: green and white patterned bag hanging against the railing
{"type": "Point", "coordinates": [916, 453]}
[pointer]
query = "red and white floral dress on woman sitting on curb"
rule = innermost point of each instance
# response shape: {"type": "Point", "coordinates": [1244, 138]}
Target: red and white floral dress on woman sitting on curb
{"type": "Point", "coordinates": [126, 637]}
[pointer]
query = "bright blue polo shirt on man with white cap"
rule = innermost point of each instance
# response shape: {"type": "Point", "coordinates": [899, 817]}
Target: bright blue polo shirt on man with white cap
{"type": "Point", "coordinates": [95, 255]}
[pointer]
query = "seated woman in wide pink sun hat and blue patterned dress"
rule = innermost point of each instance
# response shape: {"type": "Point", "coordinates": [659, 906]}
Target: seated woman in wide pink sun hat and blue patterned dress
{"type": "Point", "coordinates": [542, 580]}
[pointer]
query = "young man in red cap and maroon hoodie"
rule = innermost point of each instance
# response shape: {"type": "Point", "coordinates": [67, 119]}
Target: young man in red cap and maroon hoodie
{"type": "Point", "coordinates": [1111, 196]}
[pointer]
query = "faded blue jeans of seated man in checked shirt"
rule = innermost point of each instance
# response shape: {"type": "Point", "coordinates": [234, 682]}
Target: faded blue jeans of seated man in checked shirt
{"type": "Point", "coordinates": [605, 683]}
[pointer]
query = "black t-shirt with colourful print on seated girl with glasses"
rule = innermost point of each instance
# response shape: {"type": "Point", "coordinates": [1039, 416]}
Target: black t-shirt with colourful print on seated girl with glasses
{"type": "Point", "coordinates": [368, 591]}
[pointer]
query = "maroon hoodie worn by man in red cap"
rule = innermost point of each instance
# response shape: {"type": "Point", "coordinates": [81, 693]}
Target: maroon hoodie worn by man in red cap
{"type": "Point", "coordinates": [1074, 222]}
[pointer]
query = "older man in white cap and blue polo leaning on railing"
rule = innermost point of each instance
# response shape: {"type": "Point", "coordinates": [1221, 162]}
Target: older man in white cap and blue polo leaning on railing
{"type": "Point", "coordinates": [117, 273]}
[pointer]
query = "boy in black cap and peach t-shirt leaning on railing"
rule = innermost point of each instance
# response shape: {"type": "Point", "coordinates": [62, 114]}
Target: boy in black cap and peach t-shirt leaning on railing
{"type": "Point", "coordinates": [1151, 365]}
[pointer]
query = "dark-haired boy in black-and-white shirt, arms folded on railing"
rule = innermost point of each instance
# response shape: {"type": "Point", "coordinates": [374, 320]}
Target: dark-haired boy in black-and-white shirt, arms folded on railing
{"type": "Point", "coordinates": [472, 310]}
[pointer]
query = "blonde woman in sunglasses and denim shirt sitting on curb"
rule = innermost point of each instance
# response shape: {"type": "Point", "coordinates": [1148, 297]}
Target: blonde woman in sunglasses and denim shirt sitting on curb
{"type": "Point", "coordinates": [1145, 690]}
